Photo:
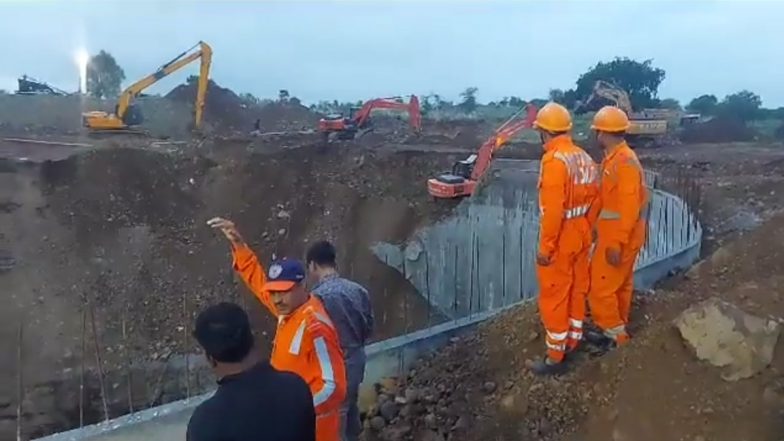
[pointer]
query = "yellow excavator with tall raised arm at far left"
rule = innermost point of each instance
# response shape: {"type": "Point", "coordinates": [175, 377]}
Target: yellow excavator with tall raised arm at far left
{"type": "Point", "coordinates": [127, 115]}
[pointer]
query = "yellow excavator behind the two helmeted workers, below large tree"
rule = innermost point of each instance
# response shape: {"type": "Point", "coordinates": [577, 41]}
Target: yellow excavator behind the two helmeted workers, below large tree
{"type": "Point", "coordinates": [646, 127]}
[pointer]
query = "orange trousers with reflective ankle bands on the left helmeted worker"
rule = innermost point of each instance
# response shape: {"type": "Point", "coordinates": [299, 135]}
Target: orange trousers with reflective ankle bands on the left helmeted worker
{"type": "Point", "coordinates": [563, 286]}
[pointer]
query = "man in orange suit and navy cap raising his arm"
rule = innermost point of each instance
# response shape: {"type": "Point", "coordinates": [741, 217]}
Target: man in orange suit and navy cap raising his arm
{"type": "Point", "coordinates": [306, 342]}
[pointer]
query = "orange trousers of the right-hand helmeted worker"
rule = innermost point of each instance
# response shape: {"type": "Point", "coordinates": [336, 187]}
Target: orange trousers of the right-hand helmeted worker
{"type": "Point", "coordinates": [611, 287]}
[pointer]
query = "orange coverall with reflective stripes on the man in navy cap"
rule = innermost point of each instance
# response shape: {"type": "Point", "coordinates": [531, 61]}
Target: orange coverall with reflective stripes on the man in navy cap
{"type": "Point", "coordinates": [306, 343]}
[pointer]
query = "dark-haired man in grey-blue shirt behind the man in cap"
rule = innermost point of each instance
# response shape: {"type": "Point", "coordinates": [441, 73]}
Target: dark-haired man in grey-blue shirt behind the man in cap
{"type": "Point", "coordinates": [348, 306]}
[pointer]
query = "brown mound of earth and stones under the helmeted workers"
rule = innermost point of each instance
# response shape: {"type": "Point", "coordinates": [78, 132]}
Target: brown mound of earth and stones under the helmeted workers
{"type": "Point", "coordinates": [655, 389]}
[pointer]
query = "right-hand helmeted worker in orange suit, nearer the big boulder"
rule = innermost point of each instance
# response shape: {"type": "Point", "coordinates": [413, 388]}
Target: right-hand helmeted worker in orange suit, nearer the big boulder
{"type": "Point", "coordinates": [620, 219]}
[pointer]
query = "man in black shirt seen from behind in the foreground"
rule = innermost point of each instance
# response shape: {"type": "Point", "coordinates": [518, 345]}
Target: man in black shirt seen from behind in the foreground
{"type": "Point", "coordinates": [254, 402]}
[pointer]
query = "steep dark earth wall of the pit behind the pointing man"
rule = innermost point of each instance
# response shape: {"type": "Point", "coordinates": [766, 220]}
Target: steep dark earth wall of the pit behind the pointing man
{"type": "Point", "coordinates": [124, 229]}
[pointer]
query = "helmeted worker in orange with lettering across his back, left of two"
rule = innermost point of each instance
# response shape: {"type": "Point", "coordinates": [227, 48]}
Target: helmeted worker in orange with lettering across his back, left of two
{"type": "Point", "coordinates": [568, 185]}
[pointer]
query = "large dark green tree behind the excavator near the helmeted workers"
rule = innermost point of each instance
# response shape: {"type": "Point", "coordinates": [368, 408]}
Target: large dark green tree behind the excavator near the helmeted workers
{"type": "Point", "coordinates": [640, 80]}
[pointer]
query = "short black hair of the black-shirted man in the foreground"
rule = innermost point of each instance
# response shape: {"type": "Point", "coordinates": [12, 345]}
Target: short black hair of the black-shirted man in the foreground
{"type": "Point", "coordinates": [223, 330]}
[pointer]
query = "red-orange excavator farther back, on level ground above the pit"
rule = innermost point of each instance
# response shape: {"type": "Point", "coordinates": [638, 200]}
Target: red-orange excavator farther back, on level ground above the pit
{"type": "Point", "coordinates": [358, 122]}
